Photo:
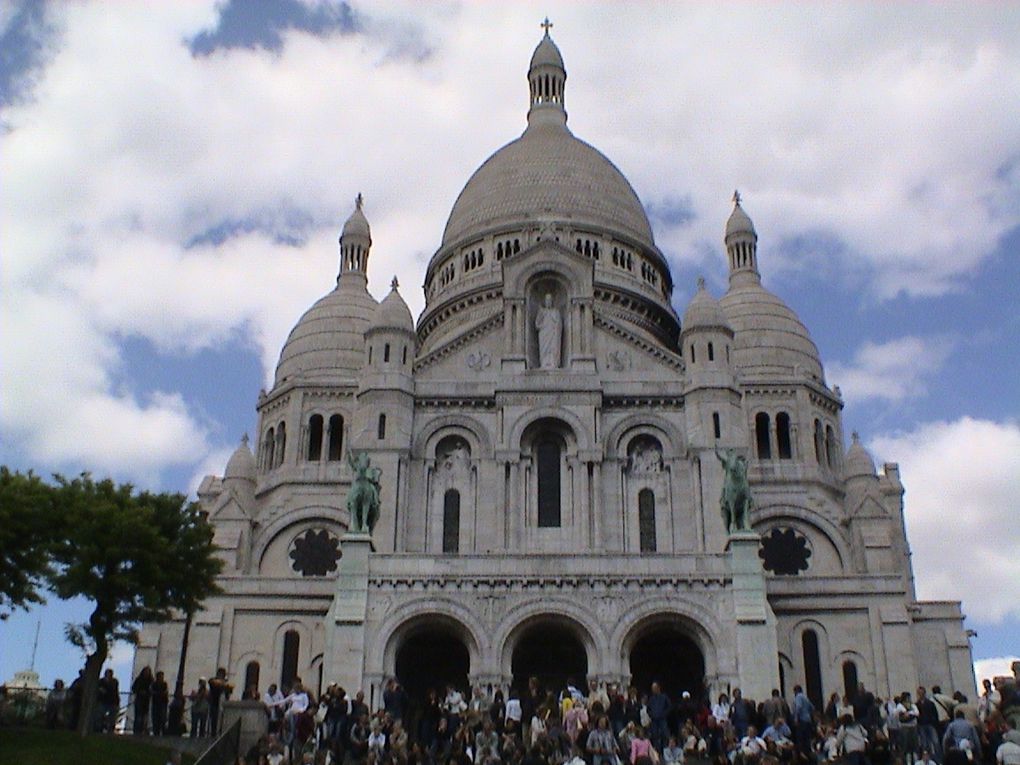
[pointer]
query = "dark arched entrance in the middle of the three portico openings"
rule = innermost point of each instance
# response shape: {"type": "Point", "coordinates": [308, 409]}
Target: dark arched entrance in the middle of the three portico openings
{"type": "Point", "coordinates": [552, 652]}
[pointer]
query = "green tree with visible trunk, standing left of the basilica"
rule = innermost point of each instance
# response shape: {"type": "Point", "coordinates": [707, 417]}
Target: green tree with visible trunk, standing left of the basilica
{"type": "Point", "coordinates": [138, 557]}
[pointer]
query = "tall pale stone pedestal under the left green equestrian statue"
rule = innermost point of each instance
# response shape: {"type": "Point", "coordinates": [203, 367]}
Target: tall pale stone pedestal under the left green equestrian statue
{"type": "Point", "coordinates": [344, 661]}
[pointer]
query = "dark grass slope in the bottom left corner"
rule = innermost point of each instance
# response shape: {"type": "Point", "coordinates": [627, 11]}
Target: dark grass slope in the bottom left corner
{"type": "Point", "coordinates": [38, 747]}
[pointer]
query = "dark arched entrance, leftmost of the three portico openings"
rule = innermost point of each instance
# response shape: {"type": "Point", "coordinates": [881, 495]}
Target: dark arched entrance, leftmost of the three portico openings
{"type": "Point", "coordinates": [432, 657]}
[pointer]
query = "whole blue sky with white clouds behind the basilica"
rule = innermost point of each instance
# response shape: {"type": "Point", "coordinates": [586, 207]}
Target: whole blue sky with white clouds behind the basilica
{"type": "Point", "coordinates": [174, 178]}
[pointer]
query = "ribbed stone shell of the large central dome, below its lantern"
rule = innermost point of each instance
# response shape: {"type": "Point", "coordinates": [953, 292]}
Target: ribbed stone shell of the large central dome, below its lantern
{"type": "Point", "coordinates": [548, 173]}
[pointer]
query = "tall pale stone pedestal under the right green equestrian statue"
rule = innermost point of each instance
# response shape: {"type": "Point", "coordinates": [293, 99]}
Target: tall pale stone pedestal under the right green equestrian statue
{"type": "Point", "coordinates": [757, 647]}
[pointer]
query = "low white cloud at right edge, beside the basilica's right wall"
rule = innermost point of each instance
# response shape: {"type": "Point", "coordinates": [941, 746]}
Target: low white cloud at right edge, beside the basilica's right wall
{"type": "Point", "coordinates": [962, 481]}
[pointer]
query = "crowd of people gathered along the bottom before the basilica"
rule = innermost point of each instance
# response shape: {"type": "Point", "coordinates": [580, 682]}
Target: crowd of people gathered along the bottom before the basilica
{"type": "Point", "coordinates": [604, 725]}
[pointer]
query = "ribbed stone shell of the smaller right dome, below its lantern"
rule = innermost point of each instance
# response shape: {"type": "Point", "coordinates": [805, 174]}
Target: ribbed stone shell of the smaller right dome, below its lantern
{"type": "Point", "coordinates": [769, 336]}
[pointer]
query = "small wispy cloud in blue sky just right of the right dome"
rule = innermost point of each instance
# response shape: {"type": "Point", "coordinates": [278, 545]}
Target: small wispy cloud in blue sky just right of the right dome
{"type": "Point", "coordinates": [893, 371]}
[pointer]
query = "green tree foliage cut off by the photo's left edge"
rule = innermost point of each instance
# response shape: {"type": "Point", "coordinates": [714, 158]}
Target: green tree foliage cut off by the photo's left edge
{"type": "Point", "coordinates": [26, 535]}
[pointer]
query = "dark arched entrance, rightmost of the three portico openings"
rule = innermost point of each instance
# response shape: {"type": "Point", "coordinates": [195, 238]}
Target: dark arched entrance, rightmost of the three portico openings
{"type": "Point", "coordinates": [667, 654]}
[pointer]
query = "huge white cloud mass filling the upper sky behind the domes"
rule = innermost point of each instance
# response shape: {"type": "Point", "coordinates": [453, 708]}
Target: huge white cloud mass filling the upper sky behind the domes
{"type": "Point", "coordinates": [882, 127]}
